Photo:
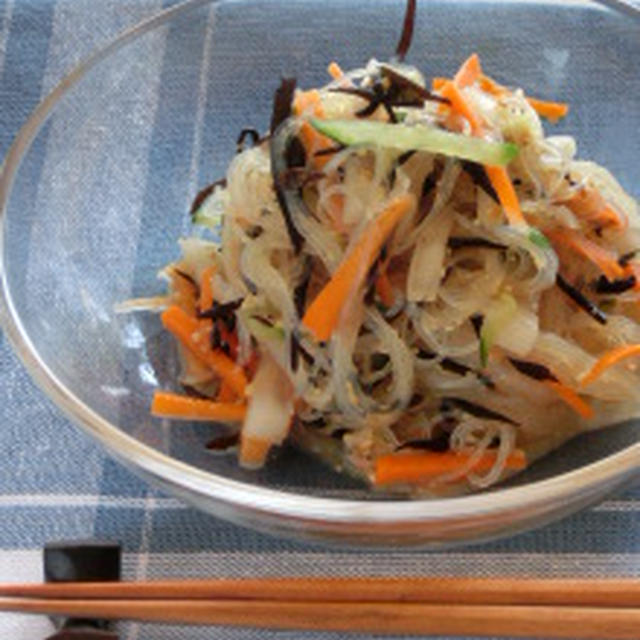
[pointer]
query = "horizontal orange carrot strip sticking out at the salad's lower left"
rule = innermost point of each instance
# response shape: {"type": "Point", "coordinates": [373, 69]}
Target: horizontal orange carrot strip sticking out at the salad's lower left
{"type": "Point", "coordinates": [178, 407]}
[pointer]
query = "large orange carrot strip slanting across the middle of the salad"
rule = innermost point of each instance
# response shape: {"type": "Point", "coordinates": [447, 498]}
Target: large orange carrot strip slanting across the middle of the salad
{"type": "Point", "coordinates": [323, 314]}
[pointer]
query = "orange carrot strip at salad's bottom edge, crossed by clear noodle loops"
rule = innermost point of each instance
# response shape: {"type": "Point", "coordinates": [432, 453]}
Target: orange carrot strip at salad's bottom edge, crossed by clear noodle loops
{"type": "Point", "coordinates": [415, 467]}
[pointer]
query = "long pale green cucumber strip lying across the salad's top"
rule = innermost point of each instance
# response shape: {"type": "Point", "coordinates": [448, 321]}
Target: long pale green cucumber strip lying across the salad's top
{"type": "Point", "coordinates": [418, 137]}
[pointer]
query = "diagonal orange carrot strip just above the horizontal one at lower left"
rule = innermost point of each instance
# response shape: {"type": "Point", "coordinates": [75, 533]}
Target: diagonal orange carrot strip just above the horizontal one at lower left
{"type": "Point", "coordinates": [190, 334]}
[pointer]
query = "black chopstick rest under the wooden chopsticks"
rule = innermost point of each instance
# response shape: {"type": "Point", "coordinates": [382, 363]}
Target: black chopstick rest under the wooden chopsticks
{"type": "Point", "coordinates": [84, 561]}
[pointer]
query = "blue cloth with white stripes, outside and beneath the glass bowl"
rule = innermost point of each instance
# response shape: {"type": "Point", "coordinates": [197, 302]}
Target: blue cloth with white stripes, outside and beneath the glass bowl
{"type": "Point", "coordinates": [55, 483]}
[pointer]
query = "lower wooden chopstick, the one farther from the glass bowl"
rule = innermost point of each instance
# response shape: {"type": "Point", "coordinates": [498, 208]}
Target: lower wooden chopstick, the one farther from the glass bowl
{"type": "Point", "coordinates": [585, 623]}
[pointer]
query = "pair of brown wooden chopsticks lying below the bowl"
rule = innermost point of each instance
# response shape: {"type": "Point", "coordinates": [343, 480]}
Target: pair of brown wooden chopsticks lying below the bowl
{"type": "Point", "coordinates": [578, 609]}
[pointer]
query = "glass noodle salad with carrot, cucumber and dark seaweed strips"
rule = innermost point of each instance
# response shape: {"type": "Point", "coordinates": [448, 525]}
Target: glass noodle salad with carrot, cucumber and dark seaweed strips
{"type": "Point", "coordinates": [412, 281]}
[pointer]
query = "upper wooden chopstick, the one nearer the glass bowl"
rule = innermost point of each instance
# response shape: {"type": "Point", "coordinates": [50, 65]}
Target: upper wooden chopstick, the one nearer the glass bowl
{"type": "Point", "coordinates": [608, 593]}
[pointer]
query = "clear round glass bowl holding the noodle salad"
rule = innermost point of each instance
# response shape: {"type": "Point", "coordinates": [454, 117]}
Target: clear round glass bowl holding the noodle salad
{"type": "Point", "coordinates": [95, 190]}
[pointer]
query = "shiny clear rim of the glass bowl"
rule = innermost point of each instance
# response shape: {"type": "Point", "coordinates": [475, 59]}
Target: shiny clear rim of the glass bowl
{"type": "Point", "coordinates": [291, 510]}
